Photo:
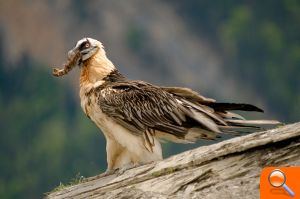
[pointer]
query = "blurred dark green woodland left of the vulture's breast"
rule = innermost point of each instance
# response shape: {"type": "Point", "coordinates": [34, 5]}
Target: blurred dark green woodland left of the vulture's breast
{"type": "Point", "coordinates": [44, 137]}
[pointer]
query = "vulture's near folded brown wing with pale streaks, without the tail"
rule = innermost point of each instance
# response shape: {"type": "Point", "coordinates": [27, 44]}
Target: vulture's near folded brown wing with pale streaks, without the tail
{"type": "Point", "coordinates": [140, 107]}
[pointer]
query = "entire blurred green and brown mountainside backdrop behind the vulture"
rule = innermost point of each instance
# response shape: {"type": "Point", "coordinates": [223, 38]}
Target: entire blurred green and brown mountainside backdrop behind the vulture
{"type": "Point", "coordinates": [240, 51]}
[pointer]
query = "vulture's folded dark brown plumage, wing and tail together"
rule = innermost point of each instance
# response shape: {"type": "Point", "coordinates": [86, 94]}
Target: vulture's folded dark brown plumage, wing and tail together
{"type": "Point", "coordinates": [176, 112]}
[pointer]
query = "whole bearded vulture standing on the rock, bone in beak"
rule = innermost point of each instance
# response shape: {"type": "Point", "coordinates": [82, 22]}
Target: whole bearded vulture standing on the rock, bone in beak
{"type": "Point", "coordinates": [136, 116]}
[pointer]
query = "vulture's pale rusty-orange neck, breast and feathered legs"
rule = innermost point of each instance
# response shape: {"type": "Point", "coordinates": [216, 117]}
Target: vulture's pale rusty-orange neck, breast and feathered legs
{"type": "Point", "coordinates": [123, 147]}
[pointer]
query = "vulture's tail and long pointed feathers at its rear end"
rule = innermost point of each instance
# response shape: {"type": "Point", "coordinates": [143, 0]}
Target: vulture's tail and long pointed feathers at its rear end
{"type": "Point", "coordinates": [213, 118]}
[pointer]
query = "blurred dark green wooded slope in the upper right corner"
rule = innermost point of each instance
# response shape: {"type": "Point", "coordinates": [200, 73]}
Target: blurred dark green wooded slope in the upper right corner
{"type": "Point", "coordinates": [260, 41]}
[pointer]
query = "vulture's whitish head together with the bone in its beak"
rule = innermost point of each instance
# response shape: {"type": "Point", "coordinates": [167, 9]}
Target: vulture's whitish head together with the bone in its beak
{"type": "Point", "coordinates": [84, 50]}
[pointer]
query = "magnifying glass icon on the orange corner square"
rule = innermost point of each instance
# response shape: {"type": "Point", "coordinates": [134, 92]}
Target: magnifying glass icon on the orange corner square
{"type": "Point", "coordinates": [277, 179]}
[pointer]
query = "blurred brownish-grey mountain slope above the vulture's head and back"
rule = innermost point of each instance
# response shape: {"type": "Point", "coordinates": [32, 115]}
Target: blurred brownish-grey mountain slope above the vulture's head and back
{"type": "Point", "coordinates": [146, 40]}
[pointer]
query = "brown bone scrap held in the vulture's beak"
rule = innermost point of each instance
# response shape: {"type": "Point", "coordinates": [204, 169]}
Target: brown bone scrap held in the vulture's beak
{"type": "Point", "coordinates": [73, 56]}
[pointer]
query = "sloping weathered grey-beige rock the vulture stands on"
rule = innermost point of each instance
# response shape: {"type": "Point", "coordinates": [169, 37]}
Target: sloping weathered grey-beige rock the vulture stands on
{"type": "Point", "coordinates": [229, 169]}
